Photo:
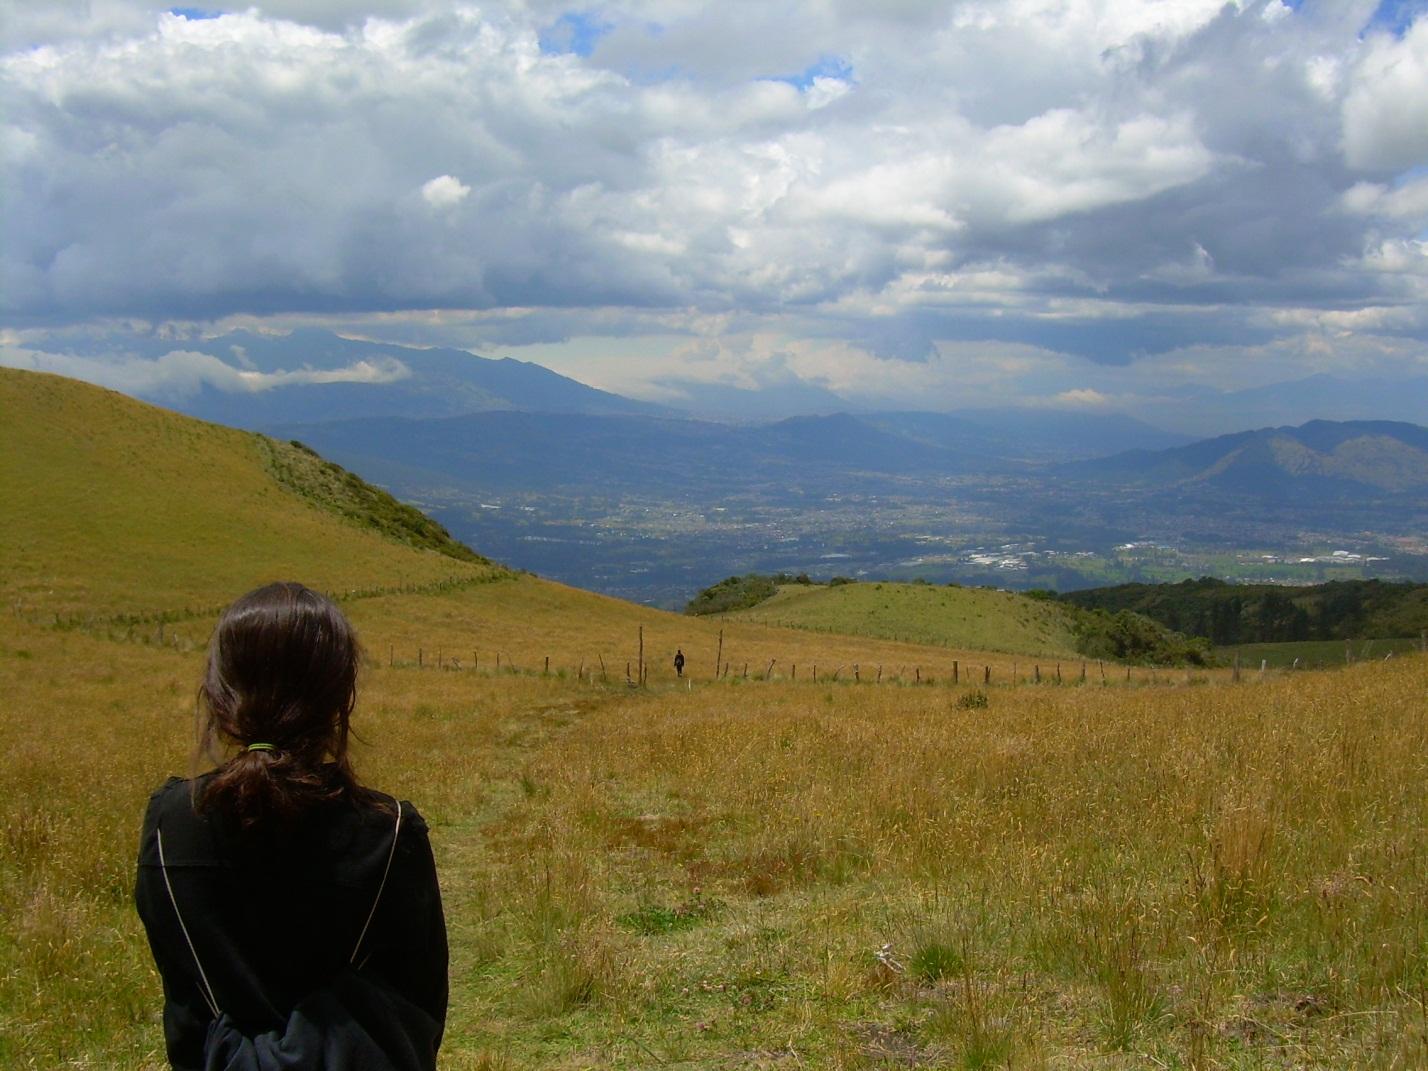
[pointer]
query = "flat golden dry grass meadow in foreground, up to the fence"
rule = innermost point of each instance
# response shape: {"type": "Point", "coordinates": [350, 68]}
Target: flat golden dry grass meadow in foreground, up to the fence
{"type": "Point", "coordinates": [789, 875]}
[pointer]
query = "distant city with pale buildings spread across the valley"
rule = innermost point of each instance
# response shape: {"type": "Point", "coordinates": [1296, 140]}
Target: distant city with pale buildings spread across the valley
{"type": "Point", "coordinates": [663, 552]}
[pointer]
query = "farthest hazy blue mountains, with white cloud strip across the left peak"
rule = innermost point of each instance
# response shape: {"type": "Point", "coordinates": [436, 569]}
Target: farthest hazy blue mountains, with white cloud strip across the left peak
{"type": "Point", "coordinates": [312, 376]}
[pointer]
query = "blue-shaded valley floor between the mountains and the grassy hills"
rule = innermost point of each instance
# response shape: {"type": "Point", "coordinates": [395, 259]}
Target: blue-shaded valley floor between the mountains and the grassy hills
{"type": "Point", "coordinates": [1010, 532]}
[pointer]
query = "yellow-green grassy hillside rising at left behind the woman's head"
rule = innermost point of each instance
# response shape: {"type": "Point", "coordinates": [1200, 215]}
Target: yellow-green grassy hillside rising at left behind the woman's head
{"type": "Point", "coordinates": [119, 508]}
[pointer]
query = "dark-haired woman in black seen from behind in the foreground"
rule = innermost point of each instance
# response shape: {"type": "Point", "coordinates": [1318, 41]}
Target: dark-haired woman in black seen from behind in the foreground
{"type": "Point", "coordinates": [289, 909]}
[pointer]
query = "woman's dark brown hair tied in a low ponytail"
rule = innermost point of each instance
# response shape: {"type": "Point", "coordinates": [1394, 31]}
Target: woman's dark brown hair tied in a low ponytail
{"type": "Point", "coordinates": [282, 672]}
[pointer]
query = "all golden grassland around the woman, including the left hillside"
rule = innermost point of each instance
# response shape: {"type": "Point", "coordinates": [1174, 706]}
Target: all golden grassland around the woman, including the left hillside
{"type": "Point", "coordinates": [712, 873]}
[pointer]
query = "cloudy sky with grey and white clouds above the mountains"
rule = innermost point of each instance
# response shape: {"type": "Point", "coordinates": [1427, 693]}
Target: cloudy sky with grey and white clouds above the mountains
{"type": "Point", "coordinates": [925, 203]}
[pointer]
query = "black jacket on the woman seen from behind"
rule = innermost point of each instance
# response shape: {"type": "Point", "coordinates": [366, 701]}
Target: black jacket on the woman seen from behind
{"type": "Point", "coordinates": [275, 913]}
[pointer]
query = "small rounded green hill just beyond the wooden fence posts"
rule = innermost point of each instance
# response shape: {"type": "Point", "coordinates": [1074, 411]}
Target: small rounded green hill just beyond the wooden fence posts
{"type": "Point", "coordinates": [965, 618]}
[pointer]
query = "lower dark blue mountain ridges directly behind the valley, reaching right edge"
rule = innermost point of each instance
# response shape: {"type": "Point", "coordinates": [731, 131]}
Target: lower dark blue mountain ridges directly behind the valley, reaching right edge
{"type": "Point", "coordinates": [505, 451]}
